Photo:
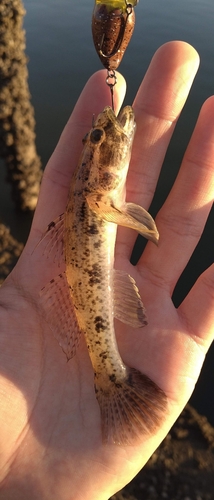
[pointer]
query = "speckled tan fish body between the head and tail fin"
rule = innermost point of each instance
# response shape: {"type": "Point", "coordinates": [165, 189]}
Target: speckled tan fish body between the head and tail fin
{"type": "Point", "coordinates": [90, 274]}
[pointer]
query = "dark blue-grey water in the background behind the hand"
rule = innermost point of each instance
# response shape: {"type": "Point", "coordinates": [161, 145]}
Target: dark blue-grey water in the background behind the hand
{"type": "Point", "coordinates": [61, 59]}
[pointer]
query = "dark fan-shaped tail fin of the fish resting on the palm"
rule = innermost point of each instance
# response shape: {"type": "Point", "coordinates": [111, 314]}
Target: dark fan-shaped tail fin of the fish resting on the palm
{"type": "Point", "coordinates": [130, 409]}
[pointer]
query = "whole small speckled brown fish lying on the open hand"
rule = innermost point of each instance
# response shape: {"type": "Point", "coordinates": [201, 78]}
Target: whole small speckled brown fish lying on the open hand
{"type": "Point", "coordinates": [90, 293]}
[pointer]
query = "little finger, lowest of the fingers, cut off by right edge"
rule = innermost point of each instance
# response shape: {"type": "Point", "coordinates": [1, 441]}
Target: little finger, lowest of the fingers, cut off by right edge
{"type": "Point", "coordinates": [197, 310]}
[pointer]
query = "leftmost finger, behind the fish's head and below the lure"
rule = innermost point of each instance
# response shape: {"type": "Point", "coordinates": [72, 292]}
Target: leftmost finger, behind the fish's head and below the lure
{"type": "Point", "coordinates": [57, 176]}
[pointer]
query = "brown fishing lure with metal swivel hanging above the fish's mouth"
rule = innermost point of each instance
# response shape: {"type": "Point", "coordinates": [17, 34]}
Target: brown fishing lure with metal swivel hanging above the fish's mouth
{"type": "Point", "coordinates": [113, 23]}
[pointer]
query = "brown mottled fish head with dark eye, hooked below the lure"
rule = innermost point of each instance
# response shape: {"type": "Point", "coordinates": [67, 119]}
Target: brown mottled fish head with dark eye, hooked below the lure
{"type": "Point", "coordinates": [110, 142]}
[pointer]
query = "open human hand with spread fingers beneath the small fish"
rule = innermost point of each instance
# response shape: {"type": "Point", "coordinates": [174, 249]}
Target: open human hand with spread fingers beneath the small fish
{"type": "Point", "coordinates": [50, 431]}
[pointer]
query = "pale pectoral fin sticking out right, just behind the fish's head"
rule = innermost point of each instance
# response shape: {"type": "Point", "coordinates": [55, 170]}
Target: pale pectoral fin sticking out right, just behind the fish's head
{"type": "Point", "coordinates": [129, 215]}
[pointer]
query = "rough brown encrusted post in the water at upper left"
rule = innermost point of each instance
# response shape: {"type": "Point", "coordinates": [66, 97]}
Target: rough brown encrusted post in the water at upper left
{"type": "Point", "coordinates": [17, 124]}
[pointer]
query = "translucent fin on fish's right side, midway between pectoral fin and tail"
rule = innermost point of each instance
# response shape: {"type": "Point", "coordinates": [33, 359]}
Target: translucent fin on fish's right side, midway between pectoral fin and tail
{"type": "Point", "coordinates": [128, 306]}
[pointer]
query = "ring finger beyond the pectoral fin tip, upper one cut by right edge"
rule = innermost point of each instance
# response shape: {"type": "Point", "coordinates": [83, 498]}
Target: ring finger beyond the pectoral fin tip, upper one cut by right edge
{"type": "Point", "coordinates": [183, 216]}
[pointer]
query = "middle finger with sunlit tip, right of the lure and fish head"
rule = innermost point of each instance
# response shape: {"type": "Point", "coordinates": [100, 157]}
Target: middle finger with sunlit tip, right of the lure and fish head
{"type": "Point", "coordinates": [157, 106]}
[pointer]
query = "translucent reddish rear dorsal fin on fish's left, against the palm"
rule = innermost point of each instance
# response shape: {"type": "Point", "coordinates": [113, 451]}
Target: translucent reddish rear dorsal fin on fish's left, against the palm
{"type": "Point", "coordinates": [59, 313]}
